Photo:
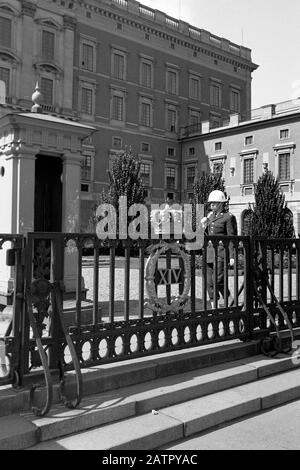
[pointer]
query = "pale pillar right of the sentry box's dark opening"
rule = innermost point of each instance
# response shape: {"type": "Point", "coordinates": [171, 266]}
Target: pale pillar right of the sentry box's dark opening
{"type": "Point", "coordinates": [71, 215]}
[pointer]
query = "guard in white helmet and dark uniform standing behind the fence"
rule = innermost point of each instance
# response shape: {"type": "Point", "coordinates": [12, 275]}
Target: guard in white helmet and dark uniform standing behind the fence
{"type": "Point", "coordinates": [218, 222]}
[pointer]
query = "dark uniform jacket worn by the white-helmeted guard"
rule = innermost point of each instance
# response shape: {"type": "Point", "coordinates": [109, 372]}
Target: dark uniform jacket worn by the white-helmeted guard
{"type": "Point", "coordinates": [223, 223]}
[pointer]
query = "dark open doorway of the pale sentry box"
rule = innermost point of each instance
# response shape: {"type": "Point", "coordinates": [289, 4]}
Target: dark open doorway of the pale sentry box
{"type": "Point", "coordinates": [48, 194]}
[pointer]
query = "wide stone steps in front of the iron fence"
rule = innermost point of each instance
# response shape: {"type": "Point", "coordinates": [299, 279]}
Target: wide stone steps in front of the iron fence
{"type": "Point", "coordinates": [151, 402]}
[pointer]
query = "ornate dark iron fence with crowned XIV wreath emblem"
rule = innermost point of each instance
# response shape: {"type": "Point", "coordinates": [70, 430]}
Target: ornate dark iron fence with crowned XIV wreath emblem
{"type": "Point", "coordinates": [150, 300]}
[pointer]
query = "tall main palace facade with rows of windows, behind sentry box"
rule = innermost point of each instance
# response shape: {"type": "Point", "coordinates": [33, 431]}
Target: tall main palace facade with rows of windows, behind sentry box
{"type": "Point", "coordinates": [136, 76]}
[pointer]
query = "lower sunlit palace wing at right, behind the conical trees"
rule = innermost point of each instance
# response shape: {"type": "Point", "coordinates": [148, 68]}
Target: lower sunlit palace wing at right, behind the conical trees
{"type": "Point", "coordinates": [244, 150]}
